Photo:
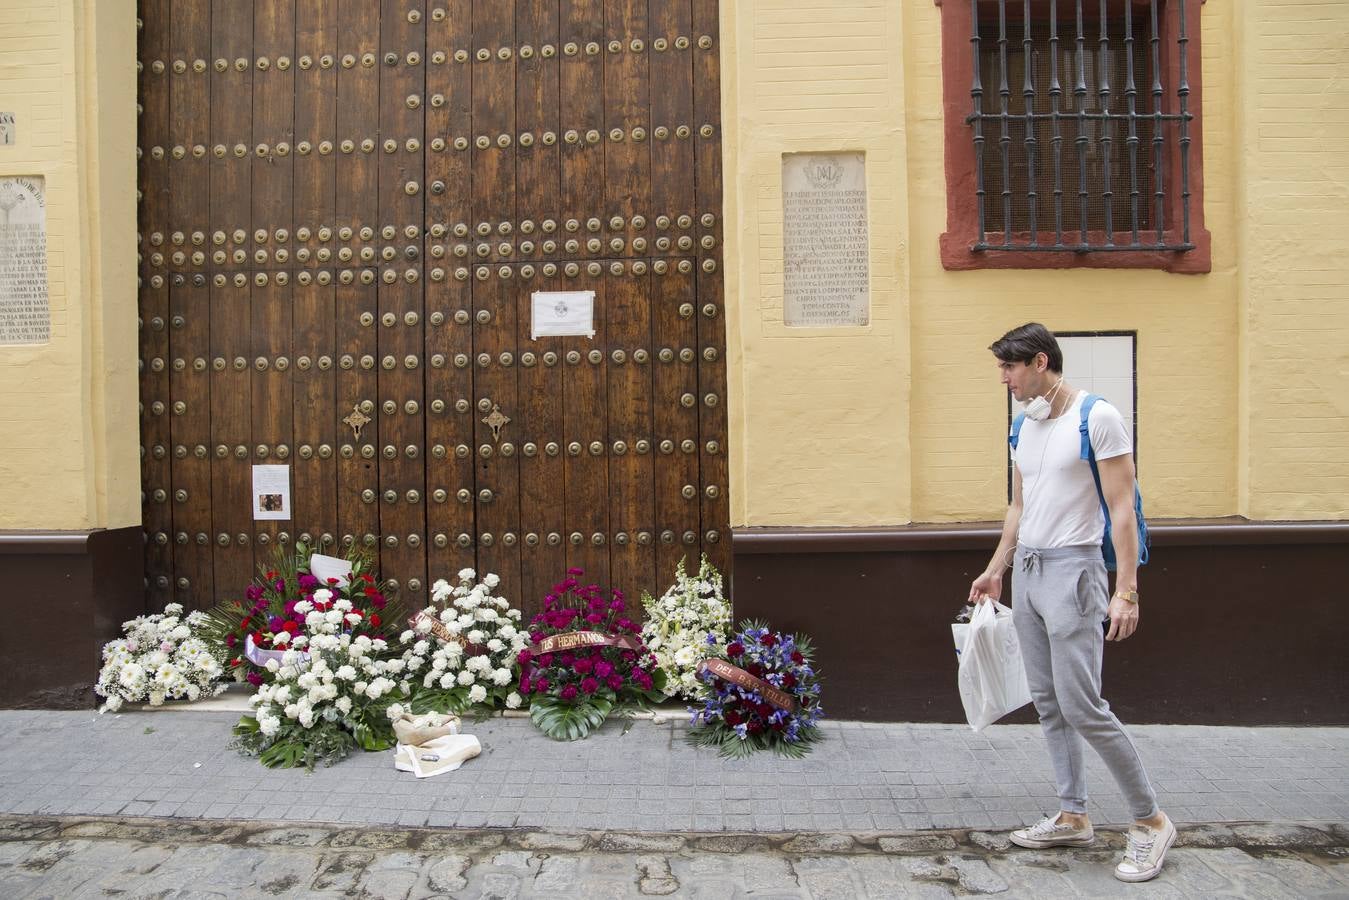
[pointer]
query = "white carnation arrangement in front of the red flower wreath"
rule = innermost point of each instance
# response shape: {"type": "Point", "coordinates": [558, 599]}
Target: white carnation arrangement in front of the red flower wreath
{"type": "Point", "coordinates": [331, 697]}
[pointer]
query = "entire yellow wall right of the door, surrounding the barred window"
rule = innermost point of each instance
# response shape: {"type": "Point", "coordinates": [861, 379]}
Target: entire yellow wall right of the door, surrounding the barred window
{"type": "Point", "coordinates": [906, 420]}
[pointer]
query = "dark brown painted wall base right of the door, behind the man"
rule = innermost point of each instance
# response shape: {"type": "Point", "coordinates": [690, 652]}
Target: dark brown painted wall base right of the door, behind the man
{"type": "Point", "coordinates": [1239, 621]}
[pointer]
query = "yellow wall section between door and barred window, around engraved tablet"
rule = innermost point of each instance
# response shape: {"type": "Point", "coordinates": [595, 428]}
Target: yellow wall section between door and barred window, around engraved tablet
{"type": "Point", "coordinates": [820, 418]}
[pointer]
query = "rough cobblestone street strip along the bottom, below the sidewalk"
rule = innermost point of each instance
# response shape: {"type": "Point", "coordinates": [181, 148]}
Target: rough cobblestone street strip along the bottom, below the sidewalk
{"type": "Point", "coordinates": [68, 859]}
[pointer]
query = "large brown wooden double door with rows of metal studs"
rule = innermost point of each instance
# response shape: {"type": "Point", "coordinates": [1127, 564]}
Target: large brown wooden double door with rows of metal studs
{"type": "Point", "coordinates": [346, 211]}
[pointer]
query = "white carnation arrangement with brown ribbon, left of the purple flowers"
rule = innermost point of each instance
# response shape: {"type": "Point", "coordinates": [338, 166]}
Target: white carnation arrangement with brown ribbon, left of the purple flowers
{"type": "Point", "coordinates": [465, 648]}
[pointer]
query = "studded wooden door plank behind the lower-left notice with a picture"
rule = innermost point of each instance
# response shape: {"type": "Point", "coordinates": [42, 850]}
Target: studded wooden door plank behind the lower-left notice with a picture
{"type": "Point", "coordinates": [273, 176]}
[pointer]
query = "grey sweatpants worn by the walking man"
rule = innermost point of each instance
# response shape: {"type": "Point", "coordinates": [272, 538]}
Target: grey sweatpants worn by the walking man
{"type": "Point", "coordinates": [1060, 598]}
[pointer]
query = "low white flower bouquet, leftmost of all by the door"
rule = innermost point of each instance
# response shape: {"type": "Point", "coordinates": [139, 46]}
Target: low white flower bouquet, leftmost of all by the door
{"type": "Point", "coordinates": [159, 659]}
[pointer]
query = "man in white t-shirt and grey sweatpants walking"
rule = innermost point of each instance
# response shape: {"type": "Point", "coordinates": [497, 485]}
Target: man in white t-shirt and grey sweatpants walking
{"type": "Point", "coordinates": [1052, 539]}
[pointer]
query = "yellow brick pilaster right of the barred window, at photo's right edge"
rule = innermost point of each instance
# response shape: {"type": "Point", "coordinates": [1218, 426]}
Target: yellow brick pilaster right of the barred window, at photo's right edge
{"type": "Point", "coordinates": [1293, 129]}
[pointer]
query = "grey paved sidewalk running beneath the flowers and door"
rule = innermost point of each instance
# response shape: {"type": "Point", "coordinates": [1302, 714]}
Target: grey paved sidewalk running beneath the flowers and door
{"type": "Point", "coordinates": [863, 779]}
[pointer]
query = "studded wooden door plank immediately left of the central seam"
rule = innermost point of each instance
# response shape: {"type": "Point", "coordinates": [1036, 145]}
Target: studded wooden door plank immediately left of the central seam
{"type": "Point", "coordinates": [403, 342]}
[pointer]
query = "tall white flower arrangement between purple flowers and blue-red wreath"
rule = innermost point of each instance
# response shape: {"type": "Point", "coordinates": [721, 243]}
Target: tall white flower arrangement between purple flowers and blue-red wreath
{"type": "Point", "coordinates": [686, 625]}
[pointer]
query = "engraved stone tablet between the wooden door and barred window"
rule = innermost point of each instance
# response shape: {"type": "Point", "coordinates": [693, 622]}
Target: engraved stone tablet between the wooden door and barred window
{"type": "Point", "coordinates": [825, 241]}
